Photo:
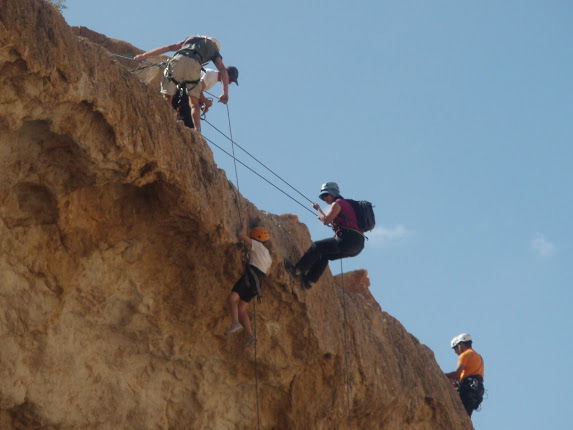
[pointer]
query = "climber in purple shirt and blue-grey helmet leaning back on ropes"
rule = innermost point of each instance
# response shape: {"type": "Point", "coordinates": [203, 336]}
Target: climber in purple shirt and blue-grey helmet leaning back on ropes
{"type": "Point", "coordinates": [348, 240]}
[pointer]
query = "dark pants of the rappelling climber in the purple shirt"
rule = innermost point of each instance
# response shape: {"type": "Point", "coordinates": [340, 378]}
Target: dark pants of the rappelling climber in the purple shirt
{"type": "Point", "coordinates": [347, 243]}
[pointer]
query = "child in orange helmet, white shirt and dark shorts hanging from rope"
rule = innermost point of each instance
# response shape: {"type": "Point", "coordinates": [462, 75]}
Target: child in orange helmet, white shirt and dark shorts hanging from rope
{"type": "Point", "coordinates": [249, 285]}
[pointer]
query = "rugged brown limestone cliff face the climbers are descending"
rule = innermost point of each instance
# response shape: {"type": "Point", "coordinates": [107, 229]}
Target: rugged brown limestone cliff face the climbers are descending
{"type": "Point", "coordinates": [118, 249]}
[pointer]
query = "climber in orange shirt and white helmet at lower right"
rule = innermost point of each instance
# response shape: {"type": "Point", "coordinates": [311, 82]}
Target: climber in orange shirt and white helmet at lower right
{"type": "Point", "coordinates": [468, 377]}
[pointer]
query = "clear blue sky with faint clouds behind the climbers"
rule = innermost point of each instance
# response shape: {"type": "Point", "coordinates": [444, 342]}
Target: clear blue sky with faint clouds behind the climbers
{"type": "Point", "coordinates": [454, 118]}
